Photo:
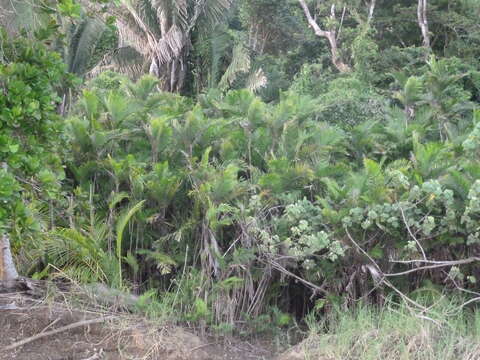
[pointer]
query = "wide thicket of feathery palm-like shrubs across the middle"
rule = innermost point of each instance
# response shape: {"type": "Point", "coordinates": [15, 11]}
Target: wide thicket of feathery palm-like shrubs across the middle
{"type": "Point", "coordinates": [242, 189]}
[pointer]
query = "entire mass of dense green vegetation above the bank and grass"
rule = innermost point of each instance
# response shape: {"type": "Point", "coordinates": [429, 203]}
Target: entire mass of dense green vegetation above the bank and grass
{"type": "Point", "coordinates": [227, 159]}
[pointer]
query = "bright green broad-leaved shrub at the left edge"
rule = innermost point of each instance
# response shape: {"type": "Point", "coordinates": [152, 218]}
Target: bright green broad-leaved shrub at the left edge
{"type": "Point", "coordinates": [31, 136]}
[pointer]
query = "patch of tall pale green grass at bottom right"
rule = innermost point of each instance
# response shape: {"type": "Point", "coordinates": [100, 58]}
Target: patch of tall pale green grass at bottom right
{"type": "Point", "coordinates": [395, 332]}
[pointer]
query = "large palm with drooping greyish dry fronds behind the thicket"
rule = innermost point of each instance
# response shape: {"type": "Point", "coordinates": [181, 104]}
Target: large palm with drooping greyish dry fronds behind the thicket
{"type": "Point", "coordinates": [156, 36]}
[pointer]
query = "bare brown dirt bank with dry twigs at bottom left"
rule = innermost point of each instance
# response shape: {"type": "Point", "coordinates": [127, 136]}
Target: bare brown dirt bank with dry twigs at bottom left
{"type": "Point", "coordinates": [64, 333]}
